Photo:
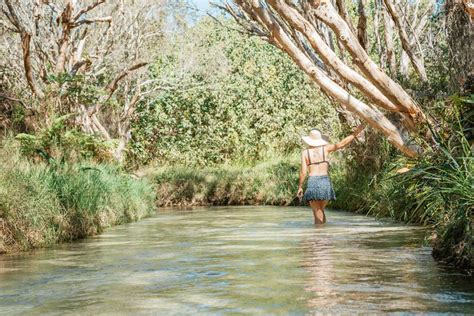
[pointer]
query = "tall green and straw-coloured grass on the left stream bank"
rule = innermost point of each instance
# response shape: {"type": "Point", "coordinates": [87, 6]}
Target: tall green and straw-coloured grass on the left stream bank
{"type": "Point", "coordinates": [42, 204]}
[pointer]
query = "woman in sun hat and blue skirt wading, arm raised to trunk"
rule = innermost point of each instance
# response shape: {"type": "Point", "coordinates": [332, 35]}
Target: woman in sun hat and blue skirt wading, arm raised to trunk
{"type": "Point", "coordinates": [314, 161]}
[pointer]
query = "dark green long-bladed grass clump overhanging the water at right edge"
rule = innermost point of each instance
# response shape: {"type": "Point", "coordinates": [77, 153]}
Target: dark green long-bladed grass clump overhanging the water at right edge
{"type": "Point", "coordinates": [442, 189]}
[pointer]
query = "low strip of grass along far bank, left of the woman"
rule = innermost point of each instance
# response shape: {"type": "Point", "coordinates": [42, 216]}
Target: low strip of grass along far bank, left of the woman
{"type": "Point", "coordinates": [273, 183]}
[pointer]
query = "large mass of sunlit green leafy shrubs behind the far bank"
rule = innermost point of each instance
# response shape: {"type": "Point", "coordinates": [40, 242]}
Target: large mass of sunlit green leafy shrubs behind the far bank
{"type": "Point", "coordinates": [241, 100]}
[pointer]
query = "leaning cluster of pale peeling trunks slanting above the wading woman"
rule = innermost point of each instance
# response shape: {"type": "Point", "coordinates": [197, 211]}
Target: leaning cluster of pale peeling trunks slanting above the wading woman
{"type": "Point", "coordinates": [284, 24]}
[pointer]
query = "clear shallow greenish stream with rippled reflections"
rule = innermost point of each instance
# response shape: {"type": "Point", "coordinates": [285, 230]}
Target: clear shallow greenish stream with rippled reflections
{"type": "Point", "coordinates": [234, 260]}
